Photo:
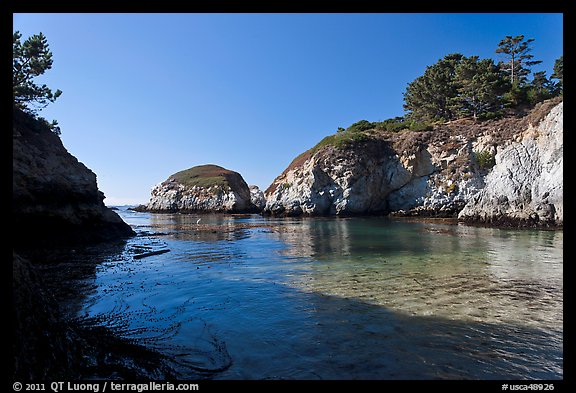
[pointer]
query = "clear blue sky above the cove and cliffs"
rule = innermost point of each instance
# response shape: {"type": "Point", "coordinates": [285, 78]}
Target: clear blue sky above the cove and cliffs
{"type": "Point", "coordinates": [147, 95]}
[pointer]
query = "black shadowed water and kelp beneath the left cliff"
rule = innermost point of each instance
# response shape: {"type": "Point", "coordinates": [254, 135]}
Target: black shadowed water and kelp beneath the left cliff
{"type": "Point", "coordinates": [49, 340]}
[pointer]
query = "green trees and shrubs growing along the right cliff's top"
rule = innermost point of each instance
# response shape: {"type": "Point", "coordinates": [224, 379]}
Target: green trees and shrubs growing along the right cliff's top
{"type": "Point", "coordinates": [459, 87]}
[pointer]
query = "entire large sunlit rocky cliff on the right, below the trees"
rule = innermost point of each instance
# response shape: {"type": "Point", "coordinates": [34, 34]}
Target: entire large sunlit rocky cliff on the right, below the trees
{"type": "Point", "coordinates": [432, 173]}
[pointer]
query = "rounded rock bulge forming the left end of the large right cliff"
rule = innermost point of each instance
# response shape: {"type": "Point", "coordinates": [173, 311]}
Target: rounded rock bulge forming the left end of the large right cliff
{"type": "Point", "coordinates": [356, 180]}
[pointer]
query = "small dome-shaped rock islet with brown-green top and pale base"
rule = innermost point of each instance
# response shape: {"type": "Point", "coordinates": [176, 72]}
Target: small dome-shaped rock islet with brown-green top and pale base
{"type": "Point", "coordinates": [204, 188]}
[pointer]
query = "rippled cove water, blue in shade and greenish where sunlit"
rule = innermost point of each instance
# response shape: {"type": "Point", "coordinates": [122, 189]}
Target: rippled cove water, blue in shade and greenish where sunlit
{"type": "Point", "coordinates": [246, 297]}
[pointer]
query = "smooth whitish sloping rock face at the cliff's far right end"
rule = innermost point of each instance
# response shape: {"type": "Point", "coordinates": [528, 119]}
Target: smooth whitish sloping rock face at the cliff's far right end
{"type": "Point", "coordinates": [525, 187]}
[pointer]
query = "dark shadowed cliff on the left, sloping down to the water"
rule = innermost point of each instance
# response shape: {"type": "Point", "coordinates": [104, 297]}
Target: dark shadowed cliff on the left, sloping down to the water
{"type": "Point", "coordinates": [55, 198]}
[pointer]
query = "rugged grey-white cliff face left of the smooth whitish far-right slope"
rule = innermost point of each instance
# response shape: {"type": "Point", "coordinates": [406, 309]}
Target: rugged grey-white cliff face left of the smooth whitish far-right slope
{"type": "Point", "coordinates": [373, 177]}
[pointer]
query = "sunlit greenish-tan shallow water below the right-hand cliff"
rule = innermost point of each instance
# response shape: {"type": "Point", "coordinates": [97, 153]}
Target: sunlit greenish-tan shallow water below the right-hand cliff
{"type": "Point", "coordinates": [452, 271]}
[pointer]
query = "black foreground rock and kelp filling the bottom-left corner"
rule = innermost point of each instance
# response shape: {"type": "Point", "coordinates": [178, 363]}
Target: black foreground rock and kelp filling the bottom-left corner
{"type": "Point", "coordinates": [47, 345]}
